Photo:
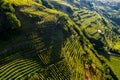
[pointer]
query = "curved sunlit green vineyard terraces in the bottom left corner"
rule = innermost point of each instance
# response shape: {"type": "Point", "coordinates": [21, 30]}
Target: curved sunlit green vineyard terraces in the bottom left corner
{"type": "Point", "coordinates": [18, 69]}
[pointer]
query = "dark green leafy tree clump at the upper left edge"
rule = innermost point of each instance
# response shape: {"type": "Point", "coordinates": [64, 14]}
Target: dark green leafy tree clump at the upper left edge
{"type": "Point", "coordinates": [8, 20]}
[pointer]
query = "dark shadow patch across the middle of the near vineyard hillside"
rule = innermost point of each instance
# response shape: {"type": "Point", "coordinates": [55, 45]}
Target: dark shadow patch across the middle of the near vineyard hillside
{"type": "Point", "coordinates": [54, 37]}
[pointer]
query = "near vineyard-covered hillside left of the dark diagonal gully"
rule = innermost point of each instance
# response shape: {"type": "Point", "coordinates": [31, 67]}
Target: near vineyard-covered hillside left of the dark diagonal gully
{"type": "Point", "coordinates": [60, 52]}
